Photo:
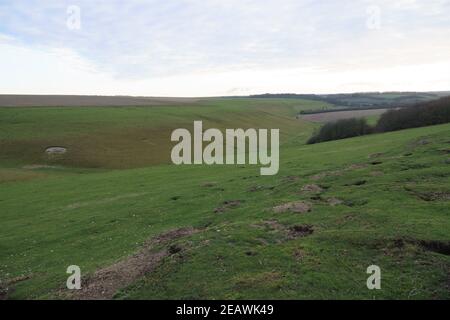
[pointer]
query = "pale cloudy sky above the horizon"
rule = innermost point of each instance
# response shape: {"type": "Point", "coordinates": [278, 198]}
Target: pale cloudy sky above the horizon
{"type": "Point", "coordinates": [195, 48]}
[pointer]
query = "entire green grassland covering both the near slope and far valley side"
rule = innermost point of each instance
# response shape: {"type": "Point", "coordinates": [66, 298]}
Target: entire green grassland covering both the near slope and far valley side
{"type": "Point", "coordinates": [380, 199]}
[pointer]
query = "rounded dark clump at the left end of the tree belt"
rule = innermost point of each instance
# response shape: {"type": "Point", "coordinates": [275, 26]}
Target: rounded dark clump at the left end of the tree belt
{"type": "Point", "coordinates": [341, 129]}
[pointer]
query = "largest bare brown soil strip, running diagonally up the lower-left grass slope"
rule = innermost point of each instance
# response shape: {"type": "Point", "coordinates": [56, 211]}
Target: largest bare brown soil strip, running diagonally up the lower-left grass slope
{"type": "Point", "coordinates": [104, 283]}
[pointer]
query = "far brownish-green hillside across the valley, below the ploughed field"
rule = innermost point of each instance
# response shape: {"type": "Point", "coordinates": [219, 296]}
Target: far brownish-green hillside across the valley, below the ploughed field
{"type": "Point", "coordinates": [133, 136]}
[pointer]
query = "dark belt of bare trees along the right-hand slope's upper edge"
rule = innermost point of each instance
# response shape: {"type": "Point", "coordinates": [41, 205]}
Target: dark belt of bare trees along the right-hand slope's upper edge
{"type": "Point", "coordinates": [420, 115]}
